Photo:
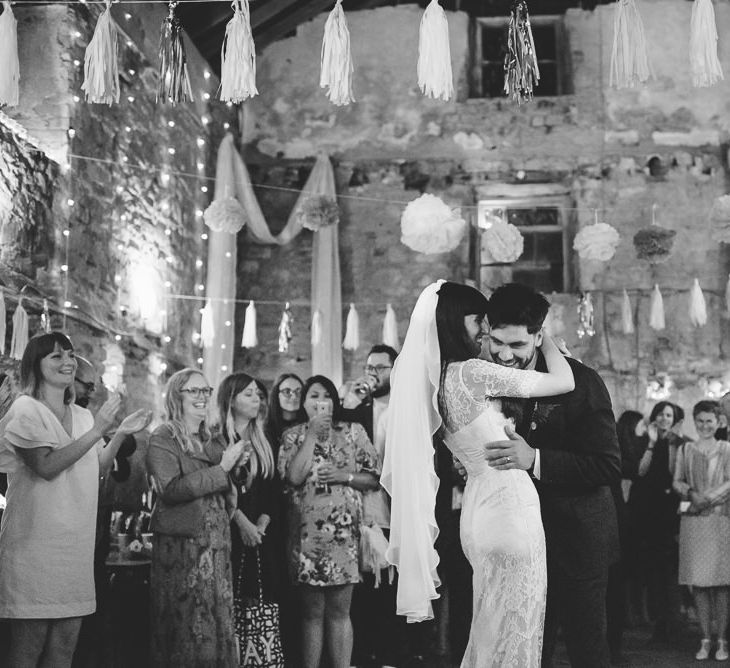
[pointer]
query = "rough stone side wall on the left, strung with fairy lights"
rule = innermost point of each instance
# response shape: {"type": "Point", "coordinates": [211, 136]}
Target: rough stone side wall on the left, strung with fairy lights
{"type": "Point", "coordinates": [127, 183]}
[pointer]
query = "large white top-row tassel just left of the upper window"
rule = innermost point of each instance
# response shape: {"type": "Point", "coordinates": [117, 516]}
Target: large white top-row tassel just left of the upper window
{"type": "Point", "coordinates": [434, 55]}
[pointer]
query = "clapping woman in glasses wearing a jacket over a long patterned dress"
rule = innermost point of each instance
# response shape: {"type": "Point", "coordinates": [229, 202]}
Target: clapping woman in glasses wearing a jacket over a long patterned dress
{"type": "Point", "coordinates": [190, 586]}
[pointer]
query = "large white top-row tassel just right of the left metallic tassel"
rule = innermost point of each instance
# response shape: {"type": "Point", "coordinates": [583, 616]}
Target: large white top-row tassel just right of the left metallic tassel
{"type": "Point", "coordinates": [238, 57]}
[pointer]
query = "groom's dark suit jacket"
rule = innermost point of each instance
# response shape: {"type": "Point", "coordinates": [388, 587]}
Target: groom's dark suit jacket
{"type": "Point", "coordinates": [579, 461]}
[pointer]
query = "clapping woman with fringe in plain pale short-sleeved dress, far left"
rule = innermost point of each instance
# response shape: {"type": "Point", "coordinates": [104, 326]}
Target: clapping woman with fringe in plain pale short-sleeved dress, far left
{"type": "Point", "coordinates": [53, 453]}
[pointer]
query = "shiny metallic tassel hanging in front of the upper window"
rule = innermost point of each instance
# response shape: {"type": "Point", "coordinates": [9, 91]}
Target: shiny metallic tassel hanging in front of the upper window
{"type": "Point", "coordinates": [521, 73]}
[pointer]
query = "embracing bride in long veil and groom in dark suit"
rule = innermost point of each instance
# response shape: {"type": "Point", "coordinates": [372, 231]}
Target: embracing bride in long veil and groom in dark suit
{"type": "Point", "coordinates": [538, 523]}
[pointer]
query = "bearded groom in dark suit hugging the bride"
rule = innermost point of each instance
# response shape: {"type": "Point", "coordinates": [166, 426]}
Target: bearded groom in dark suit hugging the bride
{"type": "Point", "coordinates": [568, 444]}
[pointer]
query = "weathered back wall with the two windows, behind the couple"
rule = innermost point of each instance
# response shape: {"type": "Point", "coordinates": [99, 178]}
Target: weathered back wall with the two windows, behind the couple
{"type": "Point", "coordinates": [597, 143]}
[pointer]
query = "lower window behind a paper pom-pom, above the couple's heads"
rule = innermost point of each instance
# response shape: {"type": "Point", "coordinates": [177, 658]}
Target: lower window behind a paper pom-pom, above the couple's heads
{"type": "Point", "coordinates": [543, 222]}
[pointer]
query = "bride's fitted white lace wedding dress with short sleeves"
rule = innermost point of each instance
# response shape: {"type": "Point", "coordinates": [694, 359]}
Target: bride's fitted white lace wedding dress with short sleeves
{"type": "Point", "coordinates": [501, 528]}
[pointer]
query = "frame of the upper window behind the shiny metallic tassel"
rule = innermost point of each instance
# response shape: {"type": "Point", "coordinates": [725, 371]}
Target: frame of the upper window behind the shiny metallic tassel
{"type": "Point", "coordinates": [561, 56]}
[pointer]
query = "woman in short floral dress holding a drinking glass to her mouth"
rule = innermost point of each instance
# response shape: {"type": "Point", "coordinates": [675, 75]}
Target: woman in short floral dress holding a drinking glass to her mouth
{"type": "Point", "coordinates": [326, 464]}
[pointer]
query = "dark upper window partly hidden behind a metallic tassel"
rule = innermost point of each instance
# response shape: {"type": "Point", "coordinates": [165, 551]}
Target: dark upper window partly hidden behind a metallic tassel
{"type": "Point", "coordinates": [490, 47]}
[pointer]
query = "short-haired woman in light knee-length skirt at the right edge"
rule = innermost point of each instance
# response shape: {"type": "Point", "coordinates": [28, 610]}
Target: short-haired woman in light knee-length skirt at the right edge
{"type": "Point", "coordinates": [702, 477]}
